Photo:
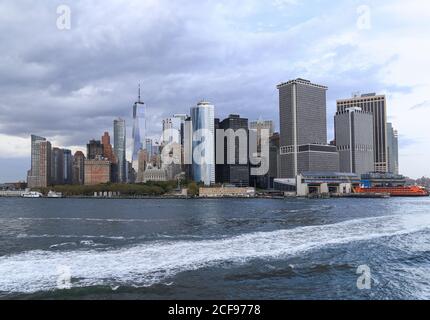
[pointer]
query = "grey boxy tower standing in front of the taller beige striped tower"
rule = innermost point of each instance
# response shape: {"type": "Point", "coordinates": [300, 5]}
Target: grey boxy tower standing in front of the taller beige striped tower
{"type": "Point", "coordinates": [354, 140]}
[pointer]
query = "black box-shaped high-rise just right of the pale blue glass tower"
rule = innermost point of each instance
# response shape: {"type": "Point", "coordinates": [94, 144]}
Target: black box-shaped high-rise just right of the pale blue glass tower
{"type": "Point", "coordinates": [235, 174]}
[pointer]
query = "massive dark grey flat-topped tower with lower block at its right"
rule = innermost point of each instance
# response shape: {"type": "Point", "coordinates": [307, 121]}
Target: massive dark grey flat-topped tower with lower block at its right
{"type": "Point", "coordinates": [303, 129]}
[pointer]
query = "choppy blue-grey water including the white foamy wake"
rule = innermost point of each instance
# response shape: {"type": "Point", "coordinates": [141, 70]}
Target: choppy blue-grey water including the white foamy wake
{"type": "Point", "coordinates": [214, 249]}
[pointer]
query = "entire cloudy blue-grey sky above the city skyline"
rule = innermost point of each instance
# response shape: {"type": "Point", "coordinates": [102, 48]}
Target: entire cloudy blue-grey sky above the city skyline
{"type": "Point", "coordinates": [69, 85]}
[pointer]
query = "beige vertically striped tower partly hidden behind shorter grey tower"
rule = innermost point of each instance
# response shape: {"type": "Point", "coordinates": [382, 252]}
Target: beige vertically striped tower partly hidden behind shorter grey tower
{"type": "Point", "coordinates": [377, 105]}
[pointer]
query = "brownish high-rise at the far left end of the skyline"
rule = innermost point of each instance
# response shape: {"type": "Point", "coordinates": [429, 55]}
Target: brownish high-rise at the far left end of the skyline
{"type": "Point", "coordinates": [40, 172]}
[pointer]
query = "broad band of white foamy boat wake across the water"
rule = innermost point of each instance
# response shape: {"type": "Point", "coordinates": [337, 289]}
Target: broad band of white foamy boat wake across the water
{"type": "Point", "coordinates": [150, 263]}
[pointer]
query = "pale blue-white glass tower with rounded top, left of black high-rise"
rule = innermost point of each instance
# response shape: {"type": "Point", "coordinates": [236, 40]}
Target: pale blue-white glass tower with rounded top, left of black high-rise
{"type": "Point", "coordinates": [203, 144]}
